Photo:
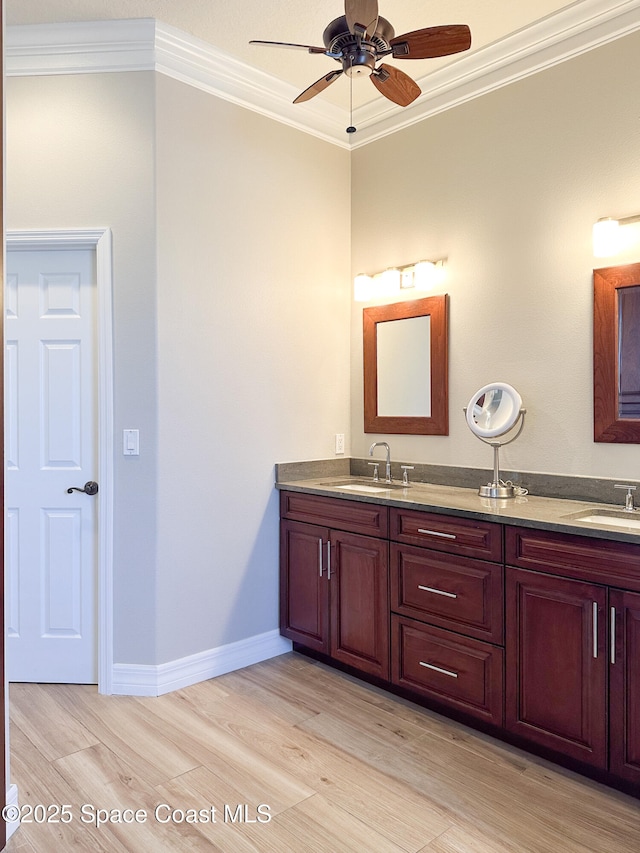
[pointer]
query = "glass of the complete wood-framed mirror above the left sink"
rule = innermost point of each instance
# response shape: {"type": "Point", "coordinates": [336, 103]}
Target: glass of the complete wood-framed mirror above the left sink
{"type": "Point", "coordinates": [405, 392]}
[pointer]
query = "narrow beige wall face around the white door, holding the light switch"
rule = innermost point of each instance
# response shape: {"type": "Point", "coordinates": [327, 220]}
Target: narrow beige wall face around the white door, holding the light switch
{"type": "Point", "coordinates": [79, 154]}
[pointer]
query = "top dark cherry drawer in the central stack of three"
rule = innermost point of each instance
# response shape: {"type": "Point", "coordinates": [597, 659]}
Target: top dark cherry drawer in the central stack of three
{"type": "Point", "coordinates": [465, 536]}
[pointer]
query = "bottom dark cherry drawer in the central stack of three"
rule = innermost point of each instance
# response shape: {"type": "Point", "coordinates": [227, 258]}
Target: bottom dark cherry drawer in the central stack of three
{"type": "Point", "coordinates": [459, 672]}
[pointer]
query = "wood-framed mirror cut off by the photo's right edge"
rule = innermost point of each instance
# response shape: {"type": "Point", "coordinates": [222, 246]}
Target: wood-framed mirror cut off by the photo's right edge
{"type": "Point", "coordinates": [616, 354]}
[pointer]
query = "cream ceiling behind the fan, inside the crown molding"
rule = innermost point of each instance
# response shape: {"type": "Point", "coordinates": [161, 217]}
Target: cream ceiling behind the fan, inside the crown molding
{"type": "Point", "coordinates": [228, 26]}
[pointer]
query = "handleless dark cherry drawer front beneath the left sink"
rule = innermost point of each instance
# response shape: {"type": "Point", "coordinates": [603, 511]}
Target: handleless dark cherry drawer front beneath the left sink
{"type": "Point", "coordinates": [352, 516]}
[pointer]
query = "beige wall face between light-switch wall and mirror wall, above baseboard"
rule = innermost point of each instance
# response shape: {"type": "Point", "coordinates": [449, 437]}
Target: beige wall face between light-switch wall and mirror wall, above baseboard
{"type": "Point", "coordinates": [253, 352]}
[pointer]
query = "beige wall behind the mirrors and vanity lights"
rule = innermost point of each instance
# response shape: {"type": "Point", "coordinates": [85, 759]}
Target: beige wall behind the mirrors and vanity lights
{"type": "Point", "coordinates": [507, 187]}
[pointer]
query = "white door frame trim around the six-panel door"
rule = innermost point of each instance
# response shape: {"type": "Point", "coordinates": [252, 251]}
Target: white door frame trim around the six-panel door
{"type": "Point", "coordinates": [98, 240]}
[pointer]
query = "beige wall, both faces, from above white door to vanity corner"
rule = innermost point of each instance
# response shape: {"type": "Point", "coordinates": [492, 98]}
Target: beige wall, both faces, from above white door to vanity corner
{"type": "Point", "coordinates": [231, 330]}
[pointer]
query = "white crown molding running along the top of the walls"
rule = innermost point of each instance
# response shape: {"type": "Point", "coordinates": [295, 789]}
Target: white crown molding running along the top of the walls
{"type": "Point", "coordinates": [149, 45]}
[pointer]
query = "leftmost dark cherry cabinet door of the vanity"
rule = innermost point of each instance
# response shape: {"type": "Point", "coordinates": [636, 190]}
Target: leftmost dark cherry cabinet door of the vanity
{"type": "Point", "coordinates": [304, 610]}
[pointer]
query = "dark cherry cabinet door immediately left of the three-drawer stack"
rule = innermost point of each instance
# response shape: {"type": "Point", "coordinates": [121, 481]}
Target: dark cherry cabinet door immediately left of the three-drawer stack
{"type": "Point", "coordinates": [359, 590]}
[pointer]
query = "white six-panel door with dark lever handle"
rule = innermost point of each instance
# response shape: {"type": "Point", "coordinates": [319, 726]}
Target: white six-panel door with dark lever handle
{"type": "Point", "coordinates": [50, 446]}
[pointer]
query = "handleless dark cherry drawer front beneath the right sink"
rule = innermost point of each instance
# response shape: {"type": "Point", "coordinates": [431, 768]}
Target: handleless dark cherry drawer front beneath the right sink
{"type": "Point", "coordinates": [582, 557]}
